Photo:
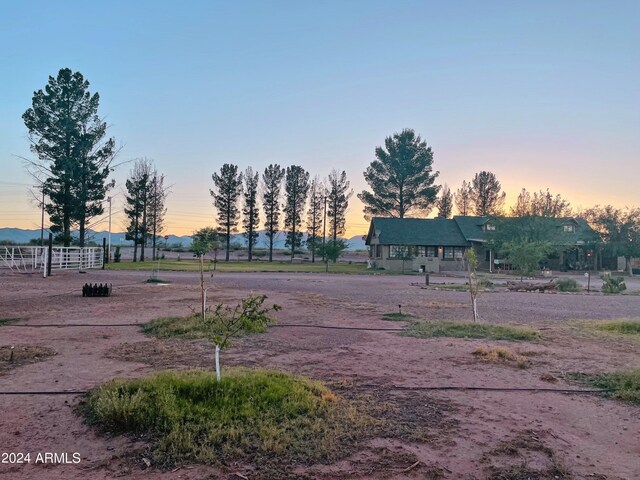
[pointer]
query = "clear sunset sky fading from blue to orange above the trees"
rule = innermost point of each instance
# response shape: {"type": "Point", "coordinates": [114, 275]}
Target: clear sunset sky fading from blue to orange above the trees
{"type": "Point", "coordinates": [544, 94]}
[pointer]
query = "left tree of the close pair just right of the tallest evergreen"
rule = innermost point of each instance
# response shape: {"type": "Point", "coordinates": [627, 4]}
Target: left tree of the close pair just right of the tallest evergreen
{"type": "Point", "coordinates": [137, 200]}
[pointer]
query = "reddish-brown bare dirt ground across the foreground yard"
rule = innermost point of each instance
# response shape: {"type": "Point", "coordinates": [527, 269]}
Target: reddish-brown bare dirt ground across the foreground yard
{"type": "Point", "coordinates": [473, 434]}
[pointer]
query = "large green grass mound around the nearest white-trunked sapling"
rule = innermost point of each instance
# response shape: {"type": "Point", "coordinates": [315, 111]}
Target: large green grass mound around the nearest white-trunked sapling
{"type": "Point", "coordinates": [250, 414]}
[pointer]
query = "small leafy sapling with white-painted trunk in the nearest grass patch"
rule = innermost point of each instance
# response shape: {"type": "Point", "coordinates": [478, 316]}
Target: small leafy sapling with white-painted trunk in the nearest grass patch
{"type": "Point", "coordinates": [225, 322]}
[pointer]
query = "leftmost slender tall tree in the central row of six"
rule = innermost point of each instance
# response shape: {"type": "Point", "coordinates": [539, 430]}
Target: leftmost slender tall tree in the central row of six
{"type": "Point", "coordinates": [227, 188]}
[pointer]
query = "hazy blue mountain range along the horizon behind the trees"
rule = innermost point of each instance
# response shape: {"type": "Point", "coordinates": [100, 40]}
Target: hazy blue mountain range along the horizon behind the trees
{"type": "Point", "coordinates": [22, 236]}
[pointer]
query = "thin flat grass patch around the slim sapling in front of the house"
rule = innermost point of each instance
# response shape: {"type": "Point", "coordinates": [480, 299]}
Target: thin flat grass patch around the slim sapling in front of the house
{"type": "Point", "coordinates": [470, 330]}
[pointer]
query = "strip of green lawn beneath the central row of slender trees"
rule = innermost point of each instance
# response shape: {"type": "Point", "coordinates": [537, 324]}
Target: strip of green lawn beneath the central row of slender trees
{"type": "Point", "coordinates": [245, 266]}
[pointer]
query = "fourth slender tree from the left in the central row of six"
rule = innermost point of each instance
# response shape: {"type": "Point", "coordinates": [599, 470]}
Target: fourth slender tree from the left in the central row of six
{"type": "Point", "coordinates": [296, 188]}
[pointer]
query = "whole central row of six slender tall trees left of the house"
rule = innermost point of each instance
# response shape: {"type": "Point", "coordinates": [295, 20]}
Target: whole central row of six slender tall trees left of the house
{"type": "Point", "coordinates": [303, 202]}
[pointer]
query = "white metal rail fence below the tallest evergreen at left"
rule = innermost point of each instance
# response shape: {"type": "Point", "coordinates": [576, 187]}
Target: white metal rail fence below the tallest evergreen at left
{"type": "Point", "coordinates": [34, 259]}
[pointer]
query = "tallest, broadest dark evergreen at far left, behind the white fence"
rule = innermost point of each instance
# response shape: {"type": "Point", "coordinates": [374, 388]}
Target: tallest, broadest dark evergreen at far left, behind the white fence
{"type": "Point", "coordinates": [74, 158]}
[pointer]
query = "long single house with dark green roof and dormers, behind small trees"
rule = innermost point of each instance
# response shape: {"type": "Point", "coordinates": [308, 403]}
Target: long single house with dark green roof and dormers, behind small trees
{"type": "Point", "coordinates": [439, 244]}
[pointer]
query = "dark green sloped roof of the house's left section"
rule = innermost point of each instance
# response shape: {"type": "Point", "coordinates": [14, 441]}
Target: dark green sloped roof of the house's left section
{"type": "Point", "coordinates": [416, 231]}
